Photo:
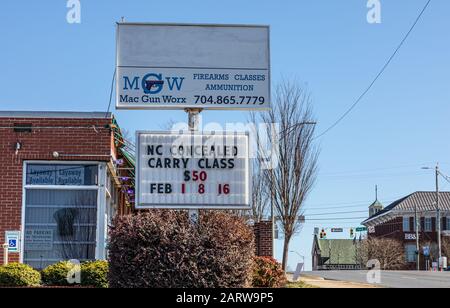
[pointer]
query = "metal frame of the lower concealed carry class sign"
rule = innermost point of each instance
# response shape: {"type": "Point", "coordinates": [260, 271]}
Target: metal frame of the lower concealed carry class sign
{"type": "Point", "coordinates": [143, 206]}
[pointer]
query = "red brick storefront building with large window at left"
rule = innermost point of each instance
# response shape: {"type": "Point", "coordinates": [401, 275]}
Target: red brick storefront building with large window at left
{"type": "Point", "coordinates": [63, 183]}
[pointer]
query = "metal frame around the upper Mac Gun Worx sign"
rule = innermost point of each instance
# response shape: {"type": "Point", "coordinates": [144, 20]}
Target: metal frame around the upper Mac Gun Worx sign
{"type": "Point", "coordinates": [142, 106]}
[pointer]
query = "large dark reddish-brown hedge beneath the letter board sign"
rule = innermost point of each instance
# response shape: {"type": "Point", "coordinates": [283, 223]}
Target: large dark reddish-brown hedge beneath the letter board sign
{"type": "Point", "coordinates": [163, 249]}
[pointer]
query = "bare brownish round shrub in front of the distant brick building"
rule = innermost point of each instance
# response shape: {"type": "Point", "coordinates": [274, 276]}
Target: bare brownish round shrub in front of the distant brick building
{"type": "Point", "coordinates": [390, 253]}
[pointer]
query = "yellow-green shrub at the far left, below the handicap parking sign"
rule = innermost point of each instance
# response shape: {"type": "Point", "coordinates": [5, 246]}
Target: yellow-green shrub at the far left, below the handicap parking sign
{"type": "Point", "coordinates": [19, 275]}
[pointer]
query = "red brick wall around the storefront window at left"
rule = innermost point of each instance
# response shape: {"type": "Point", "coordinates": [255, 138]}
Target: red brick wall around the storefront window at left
{"type": "Point", "coordinates": [40, 145]}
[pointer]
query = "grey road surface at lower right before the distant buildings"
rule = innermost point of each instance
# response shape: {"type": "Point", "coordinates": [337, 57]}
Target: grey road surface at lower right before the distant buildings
{"type": "Point", "coordinates": [401, 279]}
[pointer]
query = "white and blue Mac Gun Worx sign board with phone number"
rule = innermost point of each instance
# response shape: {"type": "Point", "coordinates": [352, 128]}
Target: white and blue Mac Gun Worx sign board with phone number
{"type": "Point", "coordinates": [178, 66]}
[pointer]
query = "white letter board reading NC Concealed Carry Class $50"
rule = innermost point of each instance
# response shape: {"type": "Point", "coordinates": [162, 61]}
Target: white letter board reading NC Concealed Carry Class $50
{"type": "Point", "coordinates": [192, 170]}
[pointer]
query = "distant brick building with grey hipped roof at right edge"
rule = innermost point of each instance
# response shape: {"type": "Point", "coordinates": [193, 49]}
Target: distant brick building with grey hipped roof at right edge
{"type": "Point", "coordinates": [400, 219]}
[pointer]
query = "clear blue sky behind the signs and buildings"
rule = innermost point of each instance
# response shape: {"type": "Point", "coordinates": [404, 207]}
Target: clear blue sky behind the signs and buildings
{"type": "Point", "coordinates": [403, 123]}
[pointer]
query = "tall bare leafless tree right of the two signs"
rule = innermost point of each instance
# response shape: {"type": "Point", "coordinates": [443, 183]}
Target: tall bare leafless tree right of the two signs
{"type": "Point", "coordinates": [292, 179]}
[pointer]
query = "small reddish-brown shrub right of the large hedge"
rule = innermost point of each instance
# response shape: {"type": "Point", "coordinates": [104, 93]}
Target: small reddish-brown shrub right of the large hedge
{"type": "Point", "coordinates": [268, 273]}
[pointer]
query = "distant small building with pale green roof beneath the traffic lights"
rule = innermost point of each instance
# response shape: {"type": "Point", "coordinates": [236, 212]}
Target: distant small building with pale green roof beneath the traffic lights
{"type": "Point", "coordinates": [338, 254]}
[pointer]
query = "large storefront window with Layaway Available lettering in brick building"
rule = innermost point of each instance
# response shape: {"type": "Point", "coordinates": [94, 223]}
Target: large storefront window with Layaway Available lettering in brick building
{"type": "Point", "coordinates": [60, 213]}
